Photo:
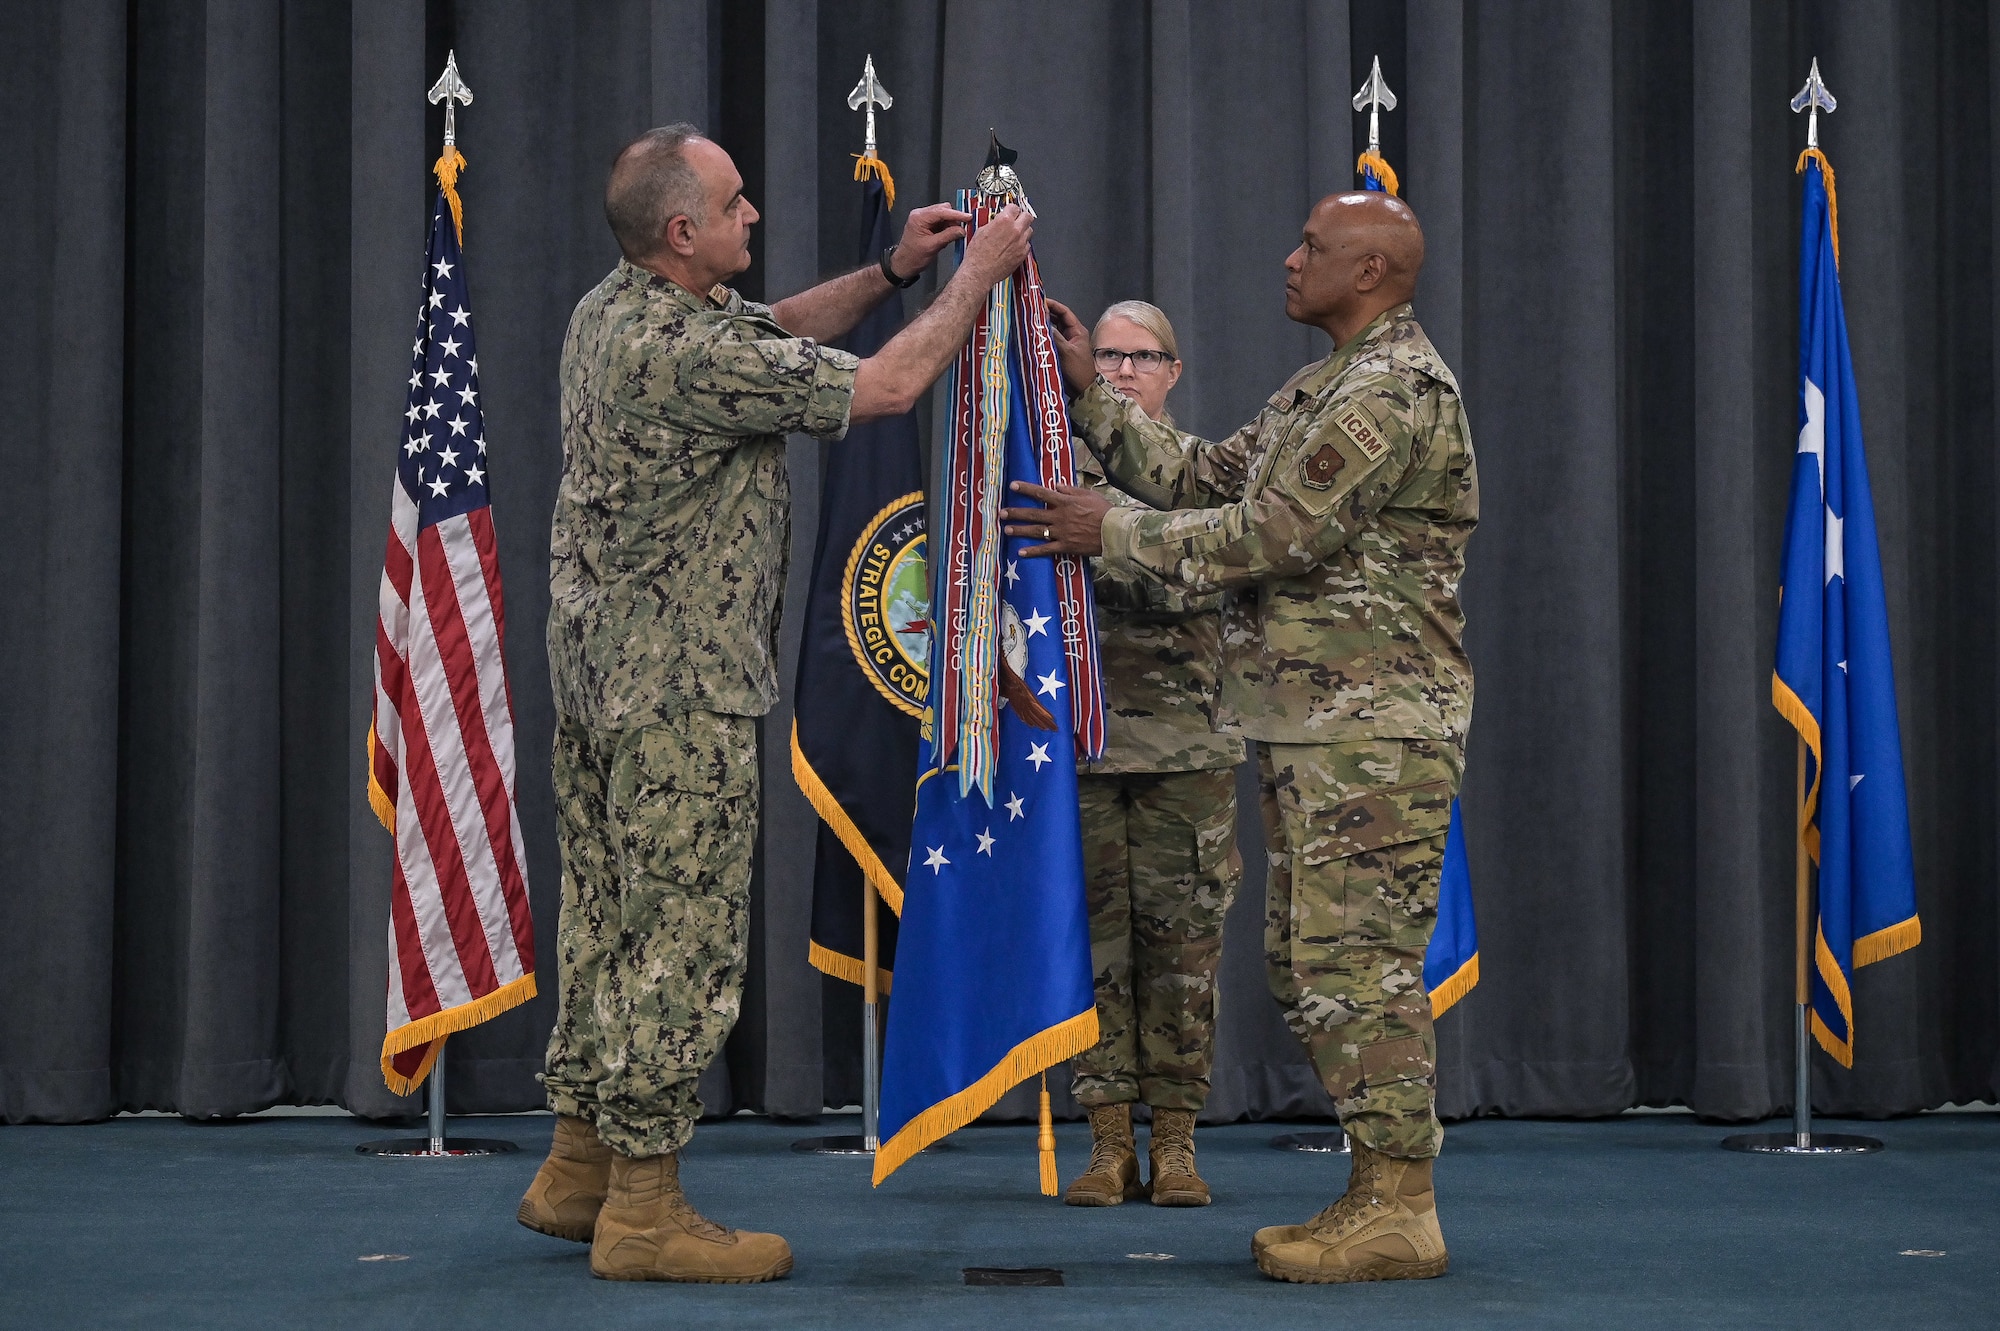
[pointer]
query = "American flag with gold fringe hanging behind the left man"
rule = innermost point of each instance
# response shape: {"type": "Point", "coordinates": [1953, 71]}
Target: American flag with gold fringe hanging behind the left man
{"type": "Point", "coordinates": [441, 748]}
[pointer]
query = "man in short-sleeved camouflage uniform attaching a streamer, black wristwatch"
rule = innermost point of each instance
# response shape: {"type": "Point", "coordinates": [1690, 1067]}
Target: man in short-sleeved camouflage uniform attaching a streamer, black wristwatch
{"type": "Point", "coordinates": [667, 565]}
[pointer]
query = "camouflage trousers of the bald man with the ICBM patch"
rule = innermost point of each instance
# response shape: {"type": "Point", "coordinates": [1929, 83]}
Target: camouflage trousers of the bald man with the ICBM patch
{"type": "Point", "coordinates": [1357, 850]}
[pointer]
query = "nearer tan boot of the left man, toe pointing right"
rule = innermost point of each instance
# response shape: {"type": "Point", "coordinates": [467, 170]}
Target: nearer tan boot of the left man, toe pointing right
{"type": "Point", "coordinates": [649, 1232]}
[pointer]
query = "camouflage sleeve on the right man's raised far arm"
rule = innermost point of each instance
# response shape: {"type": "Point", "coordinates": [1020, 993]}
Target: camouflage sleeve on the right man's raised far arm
{"type": "Point", "coordinates": [1157, 465]}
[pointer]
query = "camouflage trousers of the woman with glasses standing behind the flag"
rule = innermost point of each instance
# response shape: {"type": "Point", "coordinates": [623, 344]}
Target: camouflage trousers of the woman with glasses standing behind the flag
{"type": "Point", "coordinates": [1161, 870]}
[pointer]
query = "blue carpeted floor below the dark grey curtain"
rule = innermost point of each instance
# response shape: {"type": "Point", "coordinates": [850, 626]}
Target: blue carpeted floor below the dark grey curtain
{"type": "Point", "coordinates": [1637, 1222]}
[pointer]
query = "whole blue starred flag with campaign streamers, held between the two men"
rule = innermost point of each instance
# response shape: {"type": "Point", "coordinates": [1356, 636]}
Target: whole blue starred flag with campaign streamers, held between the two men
{"type": "Point", "coordinates": [993, 968]}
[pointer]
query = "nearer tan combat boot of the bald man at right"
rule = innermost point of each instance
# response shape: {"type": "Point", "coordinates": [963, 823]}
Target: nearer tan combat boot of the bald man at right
{"type": "Point", "coordinates": [1383, 1230]}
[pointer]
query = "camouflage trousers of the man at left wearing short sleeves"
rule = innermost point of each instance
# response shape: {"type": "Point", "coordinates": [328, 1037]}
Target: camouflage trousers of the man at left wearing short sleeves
{"type": "Point", "coordinates": [657, 828]}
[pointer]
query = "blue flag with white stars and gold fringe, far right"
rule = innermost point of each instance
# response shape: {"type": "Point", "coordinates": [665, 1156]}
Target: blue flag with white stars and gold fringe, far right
{"type": "Point", "coordinates": [1835, 680]}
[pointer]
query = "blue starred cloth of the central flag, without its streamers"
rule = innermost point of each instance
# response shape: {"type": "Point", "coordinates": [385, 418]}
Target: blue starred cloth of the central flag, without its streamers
{"type": "Point", "coordinates": [993, 964]}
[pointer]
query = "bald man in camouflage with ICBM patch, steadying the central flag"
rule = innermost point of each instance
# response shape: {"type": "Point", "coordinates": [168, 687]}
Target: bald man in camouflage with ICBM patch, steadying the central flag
{"type": "Point", "coordinates": [1337, 525]}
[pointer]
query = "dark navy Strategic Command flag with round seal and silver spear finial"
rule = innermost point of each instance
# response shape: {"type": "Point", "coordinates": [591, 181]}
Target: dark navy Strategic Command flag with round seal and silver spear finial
{"type": "Point", "coordinates": [865, 668]}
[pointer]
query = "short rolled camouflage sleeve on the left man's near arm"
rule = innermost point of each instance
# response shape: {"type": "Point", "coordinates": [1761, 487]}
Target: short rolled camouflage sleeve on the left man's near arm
{"type": "Point", "coordinates": [745, 379]}
